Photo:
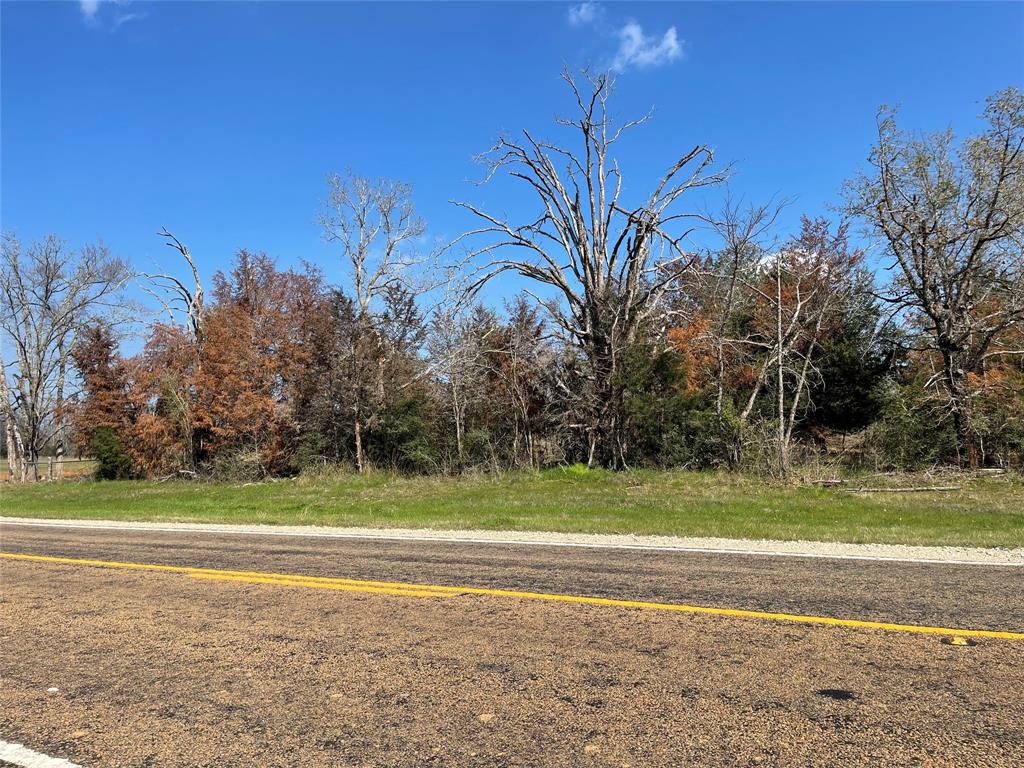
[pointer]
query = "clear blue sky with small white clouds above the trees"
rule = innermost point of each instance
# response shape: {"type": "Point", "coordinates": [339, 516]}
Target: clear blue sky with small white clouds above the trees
{"type": "Point", "coordinates": [221, 121]}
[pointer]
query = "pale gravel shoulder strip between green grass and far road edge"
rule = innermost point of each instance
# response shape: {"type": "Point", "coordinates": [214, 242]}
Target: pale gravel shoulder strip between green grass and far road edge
{"type": "Point", "coordinates": [974, 556]}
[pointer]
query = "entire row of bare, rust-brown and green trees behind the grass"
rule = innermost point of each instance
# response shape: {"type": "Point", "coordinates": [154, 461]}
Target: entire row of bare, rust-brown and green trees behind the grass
{"type": "Point", "coordinates": [627, 348]}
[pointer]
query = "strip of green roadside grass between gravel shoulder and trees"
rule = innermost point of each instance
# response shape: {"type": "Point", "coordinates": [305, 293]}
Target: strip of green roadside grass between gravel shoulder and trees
{"type": "Point", "coordinates": [987, 513]}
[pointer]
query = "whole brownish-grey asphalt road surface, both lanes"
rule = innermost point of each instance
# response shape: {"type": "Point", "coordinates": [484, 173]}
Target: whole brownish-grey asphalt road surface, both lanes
{"type": "Point", "coordinates": [160, 668]}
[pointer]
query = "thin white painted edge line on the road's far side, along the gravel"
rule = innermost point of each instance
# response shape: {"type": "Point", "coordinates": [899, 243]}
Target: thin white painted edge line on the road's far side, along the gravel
{"type": "Point", "coordinates": [515, 542]}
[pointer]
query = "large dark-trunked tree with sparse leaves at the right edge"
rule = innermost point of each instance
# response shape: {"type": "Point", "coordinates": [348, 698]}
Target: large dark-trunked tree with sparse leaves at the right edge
{"type": "Point", "coordinates": [953, 220]}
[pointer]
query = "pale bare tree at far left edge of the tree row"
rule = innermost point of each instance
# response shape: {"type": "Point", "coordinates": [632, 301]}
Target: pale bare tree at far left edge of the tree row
{"type": "Point", "coordinates": [48, 294]}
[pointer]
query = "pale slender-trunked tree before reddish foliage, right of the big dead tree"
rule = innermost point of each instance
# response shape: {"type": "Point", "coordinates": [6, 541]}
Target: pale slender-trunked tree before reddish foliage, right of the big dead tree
{"type": "Point", "coordinates": [766, 309]}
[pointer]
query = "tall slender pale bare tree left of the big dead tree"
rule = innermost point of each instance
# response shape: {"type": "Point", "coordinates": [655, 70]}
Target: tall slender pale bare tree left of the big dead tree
{"type": "Point", "coordinates": [376, 227]}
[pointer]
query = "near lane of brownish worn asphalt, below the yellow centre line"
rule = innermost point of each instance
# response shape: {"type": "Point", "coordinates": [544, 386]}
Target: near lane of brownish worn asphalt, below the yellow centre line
{"type": "Point", "coordinates": [163, 670]}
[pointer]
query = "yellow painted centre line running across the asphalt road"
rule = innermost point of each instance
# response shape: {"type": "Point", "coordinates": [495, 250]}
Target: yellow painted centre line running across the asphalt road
{"type": "Point", "coordinates": [423, 590]}
